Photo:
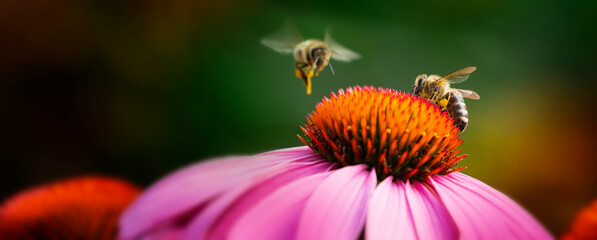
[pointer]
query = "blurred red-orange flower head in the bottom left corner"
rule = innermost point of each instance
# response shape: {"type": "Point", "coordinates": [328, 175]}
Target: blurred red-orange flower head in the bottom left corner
{"type": "Point", "coordinates": [78, 208]}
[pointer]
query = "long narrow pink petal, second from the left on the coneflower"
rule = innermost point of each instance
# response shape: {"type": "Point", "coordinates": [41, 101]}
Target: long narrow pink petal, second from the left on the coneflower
{"type": "Point", "coordinates": [215, 221]}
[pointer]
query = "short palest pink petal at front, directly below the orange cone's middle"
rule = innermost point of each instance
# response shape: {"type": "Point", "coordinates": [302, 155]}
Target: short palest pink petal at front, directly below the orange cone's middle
{"type": "Point", "coordinates": [388, 215]}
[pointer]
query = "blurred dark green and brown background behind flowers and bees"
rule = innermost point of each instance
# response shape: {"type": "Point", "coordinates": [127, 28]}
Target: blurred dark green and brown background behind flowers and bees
{"type": "Point", "coordinates": [137, 89]}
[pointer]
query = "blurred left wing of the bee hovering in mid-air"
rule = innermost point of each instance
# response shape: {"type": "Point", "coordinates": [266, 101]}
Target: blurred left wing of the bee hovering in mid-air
{"type": "Point", "coordinates": [284, 40]}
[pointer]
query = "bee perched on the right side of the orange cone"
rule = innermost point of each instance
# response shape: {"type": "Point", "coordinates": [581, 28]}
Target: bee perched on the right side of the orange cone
{"type": "Point", "coordinates": [437, 90]}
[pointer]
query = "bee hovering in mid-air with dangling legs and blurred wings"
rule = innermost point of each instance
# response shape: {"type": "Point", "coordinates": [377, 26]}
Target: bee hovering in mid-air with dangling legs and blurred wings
{"type": "Point", "coordinates": [311, 56]}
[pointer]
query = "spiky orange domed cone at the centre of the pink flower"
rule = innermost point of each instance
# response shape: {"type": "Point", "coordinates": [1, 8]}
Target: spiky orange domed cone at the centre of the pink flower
{"type": "Point", "coordinates": [396, 133]}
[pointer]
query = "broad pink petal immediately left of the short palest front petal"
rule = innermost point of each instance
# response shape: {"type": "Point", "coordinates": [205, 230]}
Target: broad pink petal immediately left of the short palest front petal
{"type": "Point", "coordinates": [337, 208]}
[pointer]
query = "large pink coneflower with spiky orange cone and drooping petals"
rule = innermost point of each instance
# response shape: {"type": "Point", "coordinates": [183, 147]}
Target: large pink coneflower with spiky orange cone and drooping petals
{"type": "Point", "coordinates": [379, 164]}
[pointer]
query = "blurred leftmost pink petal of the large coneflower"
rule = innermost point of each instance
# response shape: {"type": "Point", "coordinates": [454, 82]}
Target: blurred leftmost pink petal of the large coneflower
{"type": "Point", "coordinates": [187, 190]}
